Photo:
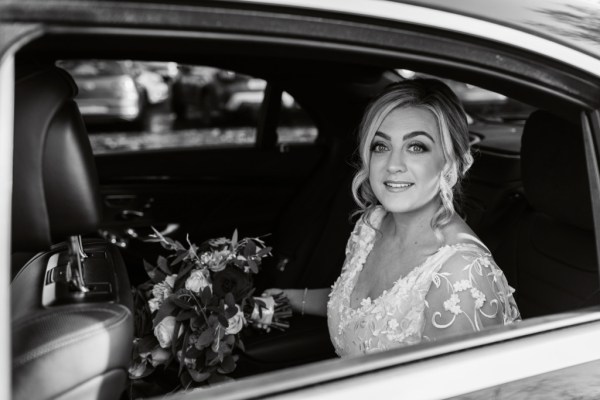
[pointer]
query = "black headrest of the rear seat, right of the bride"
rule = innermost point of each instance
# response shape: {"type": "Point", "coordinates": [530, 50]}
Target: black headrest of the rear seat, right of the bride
{"type": "Point", "coordinates": [554, 169]}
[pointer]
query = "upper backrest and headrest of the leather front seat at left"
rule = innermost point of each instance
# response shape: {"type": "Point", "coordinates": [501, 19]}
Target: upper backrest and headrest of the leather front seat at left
{"type": "Point", "coordinates": [55, 184]}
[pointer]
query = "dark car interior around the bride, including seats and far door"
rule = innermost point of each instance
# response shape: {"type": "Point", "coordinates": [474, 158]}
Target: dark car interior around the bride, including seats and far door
{"type": "Point", "coordinates": [527, 196]}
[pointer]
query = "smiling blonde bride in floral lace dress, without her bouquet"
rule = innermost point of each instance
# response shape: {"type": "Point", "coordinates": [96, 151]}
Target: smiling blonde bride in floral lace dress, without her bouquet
{"type": "Point", "coordinates": [414, 270]}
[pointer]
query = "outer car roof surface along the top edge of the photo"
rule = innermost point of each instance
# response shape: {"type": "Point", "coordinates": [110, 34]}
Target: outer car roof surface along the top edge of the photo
{"type": "Point", "coordinates": [567, 22]}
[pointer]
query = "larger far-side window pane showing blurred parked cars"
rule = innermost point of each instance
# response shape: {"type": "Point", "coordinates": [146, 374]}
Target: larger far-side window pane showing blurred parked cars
{"type": "Point", "coordinates": [131, 105]}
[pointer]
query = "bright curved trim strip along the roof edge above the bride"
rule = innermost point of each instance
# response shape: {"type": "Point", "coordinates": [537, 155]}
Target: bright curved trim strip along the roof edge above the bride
{"type": "Point", "coordinates": [411, 14]}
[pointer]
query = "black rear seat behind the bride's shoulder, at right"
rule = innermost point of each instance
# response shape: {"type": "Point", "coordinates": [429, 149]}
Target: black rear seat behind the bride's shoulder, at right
{"type": "Point", "coordinates": [550, 255]}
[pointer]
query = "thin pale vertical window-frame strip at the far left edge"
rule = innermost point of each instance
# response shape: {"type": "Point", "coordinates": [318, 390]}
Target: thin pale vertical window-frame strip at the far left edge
{"type": "Point", "coordinates": [7, 73]}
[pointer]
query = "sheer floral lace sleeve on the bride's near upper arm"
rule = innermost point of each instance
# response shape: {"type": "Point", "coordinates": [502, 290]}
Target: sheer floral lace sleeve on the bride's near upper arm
{"type": "Point", "coordinates": [468, 293]}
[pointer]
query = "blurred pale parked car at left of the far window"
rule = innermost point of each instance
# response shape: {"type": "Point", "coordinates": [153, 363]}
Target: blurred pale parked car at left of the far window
{"type": "Point", "coordinates": [111, 91]}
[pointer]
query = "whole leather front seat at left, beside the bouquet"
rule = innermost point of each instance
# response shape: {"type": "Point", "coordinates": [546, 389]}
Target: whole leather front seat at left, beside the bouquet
{"type": "Point", "coordinates": [66, 343]}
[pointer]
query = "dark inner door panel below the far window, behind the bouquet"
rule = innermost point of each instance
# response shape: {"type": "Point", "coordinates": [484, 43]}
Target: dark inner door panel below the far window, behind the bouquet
{"type": "Point", "coordinates": [207, 192]}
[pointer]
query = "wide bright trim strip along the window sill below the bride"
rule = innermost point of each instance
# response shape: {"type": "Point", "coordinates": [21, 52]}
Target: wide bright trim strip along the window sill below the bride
{"type": "Point", "coordinates": [466, 372]}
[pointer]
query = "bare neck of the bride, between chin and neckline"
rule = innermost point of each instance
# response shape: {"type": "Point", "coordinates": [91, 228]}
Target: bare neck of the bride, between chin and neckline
{"type": "Point", "coordinates": [413, 228]}
